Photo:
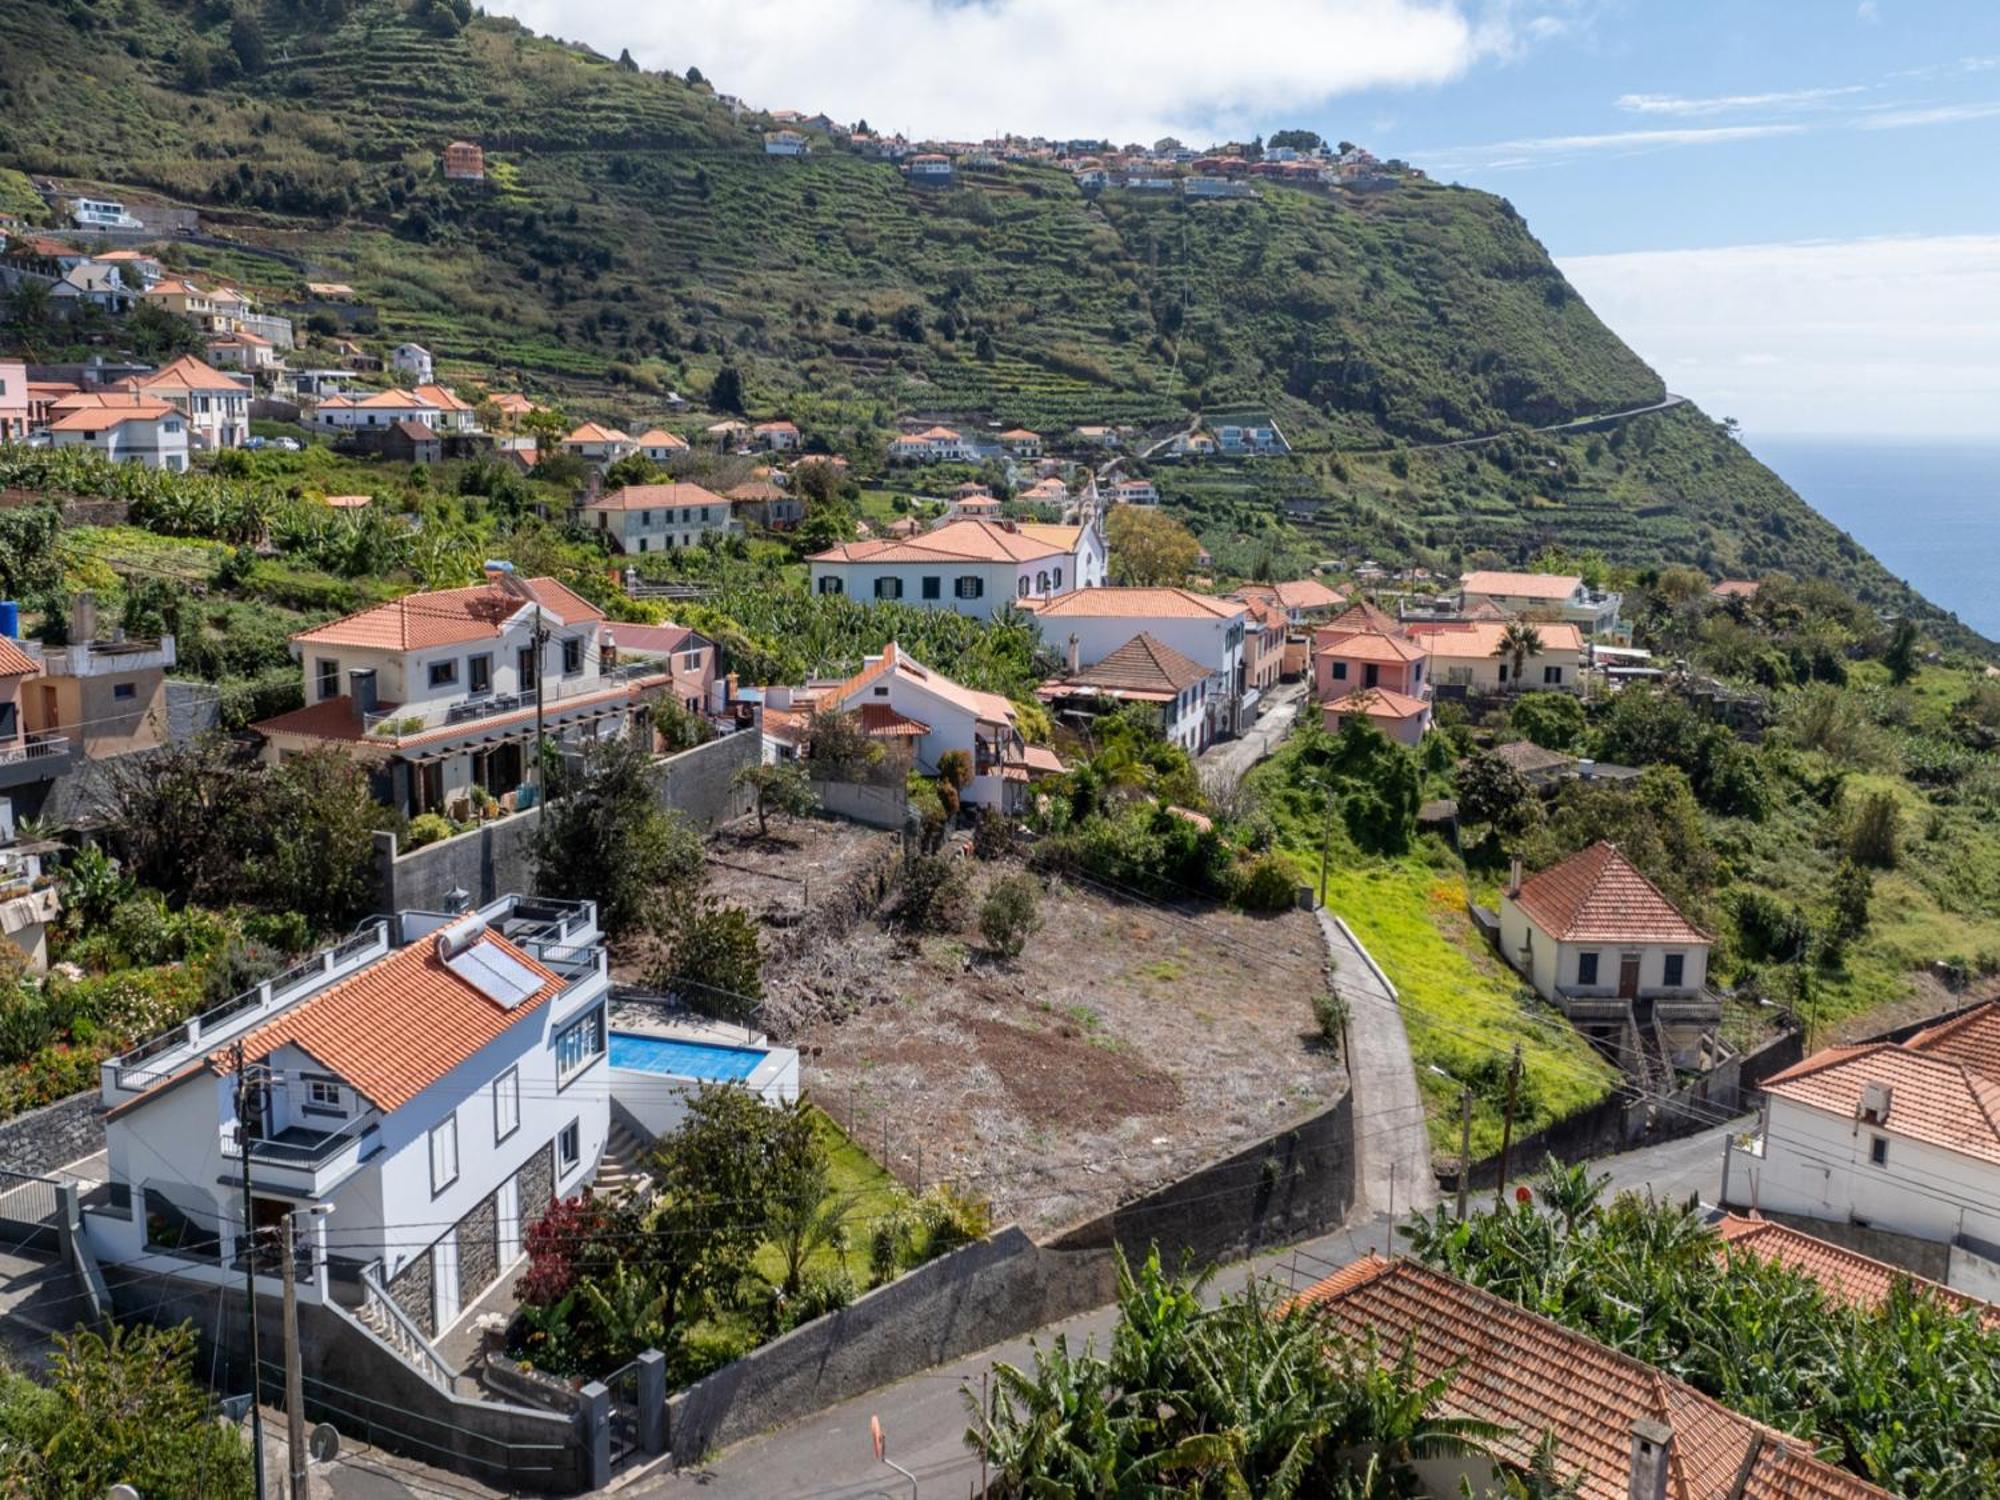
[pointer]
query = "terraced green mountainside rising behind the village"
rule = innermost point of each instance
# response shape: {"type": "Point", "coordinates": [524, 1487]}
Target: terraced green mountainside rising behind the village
{"type": "Point", "coordinates": [633, 239]}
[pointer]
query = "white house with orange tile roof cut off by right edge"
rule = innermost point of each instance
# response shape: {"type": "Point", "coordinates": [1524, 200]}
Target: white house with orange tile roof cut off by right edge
{"type": "Point", "coordinates": [1901, 1139]}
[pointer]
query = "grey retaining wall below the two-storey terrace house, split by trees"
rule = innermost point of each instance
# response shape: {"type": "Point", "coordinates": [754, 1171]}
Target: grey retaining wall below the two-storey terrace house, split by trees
{"type": "Point", "coordinates": [499, 857]}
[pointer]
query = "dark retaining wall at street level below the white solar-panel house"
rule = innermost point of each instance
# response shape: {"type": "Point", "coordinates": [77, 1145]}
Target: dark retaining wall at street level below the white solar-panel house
{"type": "Point", "coordinates": [363, 1387]}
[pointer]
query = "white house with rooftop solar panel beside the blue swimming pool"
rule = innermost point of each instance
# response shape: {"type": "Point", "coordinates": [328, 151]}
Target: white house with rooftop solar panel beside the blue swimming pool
{"type": "Point", "coordinates": [437, 1083]}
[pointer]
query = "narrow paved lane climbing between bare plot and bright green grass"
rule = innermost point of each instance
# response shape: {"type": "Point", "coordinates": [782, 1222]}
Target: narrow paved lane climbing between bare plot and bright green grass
{"type": "Point", "coordinates": [1391, 1133]}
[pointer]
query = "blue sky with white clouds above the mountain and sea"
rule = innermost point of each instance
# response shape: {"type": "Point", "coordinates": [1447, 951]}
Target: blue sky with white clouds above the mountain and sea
{"type": "Point", "coordinates": [1789, 207]}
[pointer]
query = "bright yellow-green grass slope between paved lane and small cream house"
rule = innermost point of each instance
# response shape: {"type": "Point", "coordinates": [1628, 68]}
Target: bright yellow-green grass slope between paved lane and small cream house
{"type": "Point", "coordinates": [1463, 1007]}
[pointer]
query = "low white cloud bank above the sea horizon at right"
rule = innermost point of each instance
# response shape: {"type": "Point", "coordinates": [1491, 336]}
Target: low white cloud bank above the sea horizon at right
{"type": "Point", "coordinates": [1895, 337]}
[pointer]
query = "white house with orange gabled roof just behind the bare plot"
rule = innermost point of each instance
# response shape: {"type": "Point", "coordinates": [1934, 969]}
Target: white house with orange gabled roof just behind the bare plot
{"type": "Point", "coordinates": [895, 695]}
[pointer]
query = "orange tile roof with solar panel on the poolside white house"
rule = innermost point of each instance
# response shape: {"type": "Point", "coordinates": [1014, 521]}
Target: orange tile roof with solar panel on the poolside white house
{"type": "Point", "coordinates": [401, 1025]}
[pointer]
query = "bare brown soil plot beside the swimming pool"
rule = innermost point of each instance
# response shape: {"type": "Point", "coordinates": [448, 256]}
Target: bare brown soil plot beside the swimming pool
{"type": "Point", "coordinates": [1127, 1047]}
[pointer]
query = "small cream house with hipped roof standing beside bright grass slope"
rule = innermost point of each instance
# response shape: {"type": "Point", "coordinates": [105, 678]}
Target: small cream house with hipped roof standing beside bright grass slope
{"type": "Point", "coordinates": [1603, 945]}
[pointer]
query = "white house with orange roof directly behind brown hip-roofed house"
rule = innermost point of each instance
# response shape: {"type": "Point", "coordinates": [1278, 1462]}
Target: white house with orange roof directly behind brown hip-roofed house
{"type": "Point", "coordinates": [1093, 623]}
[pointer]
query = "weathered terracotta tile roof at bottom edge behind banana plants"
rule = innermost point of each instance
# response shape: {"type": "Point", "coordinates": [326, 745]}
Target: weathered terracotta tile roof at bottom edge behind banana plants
{"type": "Point", "coordinates": [1529, 1375]}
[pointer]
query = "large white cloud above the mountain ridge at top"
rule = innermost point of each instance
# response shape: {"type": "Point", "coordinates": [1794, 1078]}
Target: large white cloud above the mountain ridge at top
{"type": "Point", "coordinates": [1121, 69]}
